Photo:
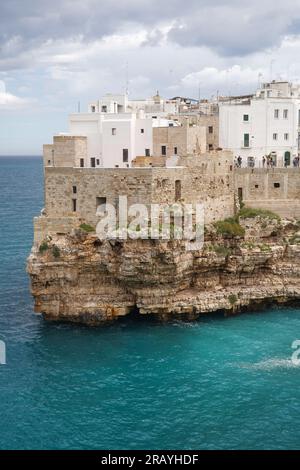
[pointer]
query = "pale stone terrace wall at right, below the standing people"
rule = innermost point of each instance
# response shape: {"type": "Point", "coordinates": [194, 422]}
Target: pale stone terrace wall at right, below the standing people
{"type": "Point", "coordinates": [276, 189]}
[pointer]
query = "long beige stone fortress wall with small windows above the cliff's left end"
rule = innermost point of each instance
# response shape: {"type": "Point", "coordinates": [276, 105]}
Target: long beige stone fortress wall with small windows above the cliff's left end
{"type": "Point", "coordinates": [203, 181]}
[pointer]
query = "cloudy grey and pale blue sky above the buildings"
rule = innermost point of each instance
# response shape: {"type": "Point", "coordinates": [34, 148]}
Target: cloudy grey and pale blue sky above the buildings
{"type": "Point", "coordinates": [54, 54]}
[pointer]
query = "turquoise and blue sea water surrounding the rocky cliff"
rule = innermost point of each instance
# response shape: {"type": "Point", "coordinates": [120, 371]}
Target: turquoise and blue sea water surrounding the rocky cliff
{"type": "Point", "coordinates": [214, 384]}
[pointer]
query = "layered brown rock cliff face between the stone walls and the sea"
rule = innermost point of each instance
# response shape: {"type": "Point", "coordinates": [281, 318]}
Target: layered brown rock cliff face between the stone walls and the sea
{"type": "Point", "coordinates": [78, 278]}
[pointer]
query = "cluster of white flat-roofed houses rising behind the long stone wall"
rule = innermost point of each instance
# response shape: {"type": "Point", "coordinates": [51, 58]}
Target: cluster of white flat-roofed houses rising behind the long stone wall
{"type": "Point", "coordinates": [118, 130]}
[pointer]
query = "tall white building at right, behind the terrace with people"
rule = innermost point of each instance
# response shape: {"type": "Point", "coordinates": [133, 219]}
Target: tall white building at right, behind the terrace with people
{"type": "Point", "coordinates": [263, 124]}
